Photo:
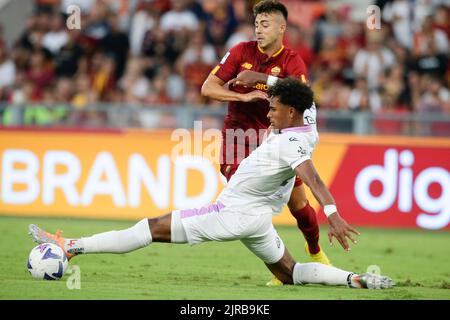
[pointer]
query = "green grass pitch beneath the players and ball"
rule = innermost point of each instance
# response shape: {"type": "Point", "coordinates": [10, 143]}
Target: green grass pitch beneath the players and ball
{"type": "Point", "coordinates": [419, 262]}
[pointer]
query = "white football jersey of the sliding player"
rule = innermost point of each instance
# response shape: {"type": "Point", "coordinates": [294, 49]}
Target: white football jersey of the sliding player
{"type": "Point", "coordinates": [264, 180]}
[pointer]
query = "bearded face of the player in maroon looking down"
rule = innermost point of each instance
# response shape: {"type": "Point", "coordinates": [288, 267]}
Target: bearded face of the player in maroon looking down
{"type": "Point", "coordinates": [269, 29]}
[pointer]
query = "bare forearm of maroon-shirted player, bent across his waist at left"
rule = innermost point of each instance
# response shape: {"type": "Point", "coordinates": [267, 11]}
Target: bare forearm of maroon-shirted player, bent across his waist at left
{"type": "Point", "coordinates": [214, 88]}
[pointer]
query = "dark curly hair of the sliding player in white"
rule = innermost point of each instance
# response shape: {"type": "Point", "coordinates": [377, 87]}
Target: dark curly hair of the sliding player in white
{"type": "Point", "coordinates": [293, 93]}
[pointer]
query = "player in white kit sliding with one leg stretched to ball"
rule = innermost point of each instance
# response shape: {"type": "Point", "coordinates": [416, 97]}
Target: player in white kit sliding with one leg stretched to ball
{"type": "Point", "coordinates": [243, 211]}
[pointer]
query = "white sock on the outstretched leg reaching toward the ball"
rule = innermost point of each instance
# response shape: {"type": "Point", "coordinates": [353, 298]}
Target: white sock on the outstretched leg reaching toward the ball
{"type": "Point", "coordinates": [122, 241]}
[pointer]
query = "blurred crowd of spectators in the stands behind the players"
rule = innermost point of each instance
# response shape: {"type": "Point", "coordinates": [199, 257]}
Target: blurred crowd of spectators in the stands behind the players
{"type": "Point", "coordinates": [159, 52]}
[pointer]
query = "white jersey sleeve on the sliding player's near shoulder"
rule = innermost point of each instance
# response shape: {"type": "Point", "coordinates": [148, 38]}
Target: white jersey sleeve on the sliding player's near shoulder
{"type": "Point", "coordinates": [294, 150]}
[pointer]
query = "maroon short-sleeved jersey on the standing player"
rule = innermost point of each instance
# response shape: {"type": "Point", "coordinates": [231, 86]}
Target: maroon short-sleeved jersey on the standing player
{"type": "Point", "coordinates": [248, 56]}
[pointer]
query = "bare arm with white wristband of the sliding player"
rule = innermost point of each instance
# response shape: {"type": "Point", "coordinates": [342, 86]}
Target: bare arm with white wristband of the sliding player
{"type": "Point", "coordinates": [338, 226]}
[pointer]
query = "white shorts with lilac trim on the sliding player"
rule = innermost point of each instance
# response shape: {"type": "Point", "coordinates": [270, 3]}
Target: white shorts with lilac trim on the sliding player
{"type": "Point", "coordinates": [216, 223]}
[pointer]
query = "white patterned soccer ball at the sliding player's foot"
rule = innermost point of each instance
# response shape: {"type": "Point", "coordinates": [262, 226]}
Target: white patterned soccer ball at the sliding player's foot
{"type": "Point", "coordinates": [47, 261]}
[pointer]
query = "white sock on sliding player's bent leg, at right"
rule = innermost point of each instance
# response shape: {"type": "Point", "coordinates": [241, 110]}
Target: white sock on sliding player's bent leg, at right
{"type": "Point", "coordinates": [320, 273]}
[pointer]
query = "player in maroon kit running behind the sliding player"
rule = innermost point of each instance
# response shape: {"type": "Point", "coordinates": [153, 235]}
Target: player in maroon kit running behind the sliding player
{"type": "Point", "coordinates": [242, 78]}
